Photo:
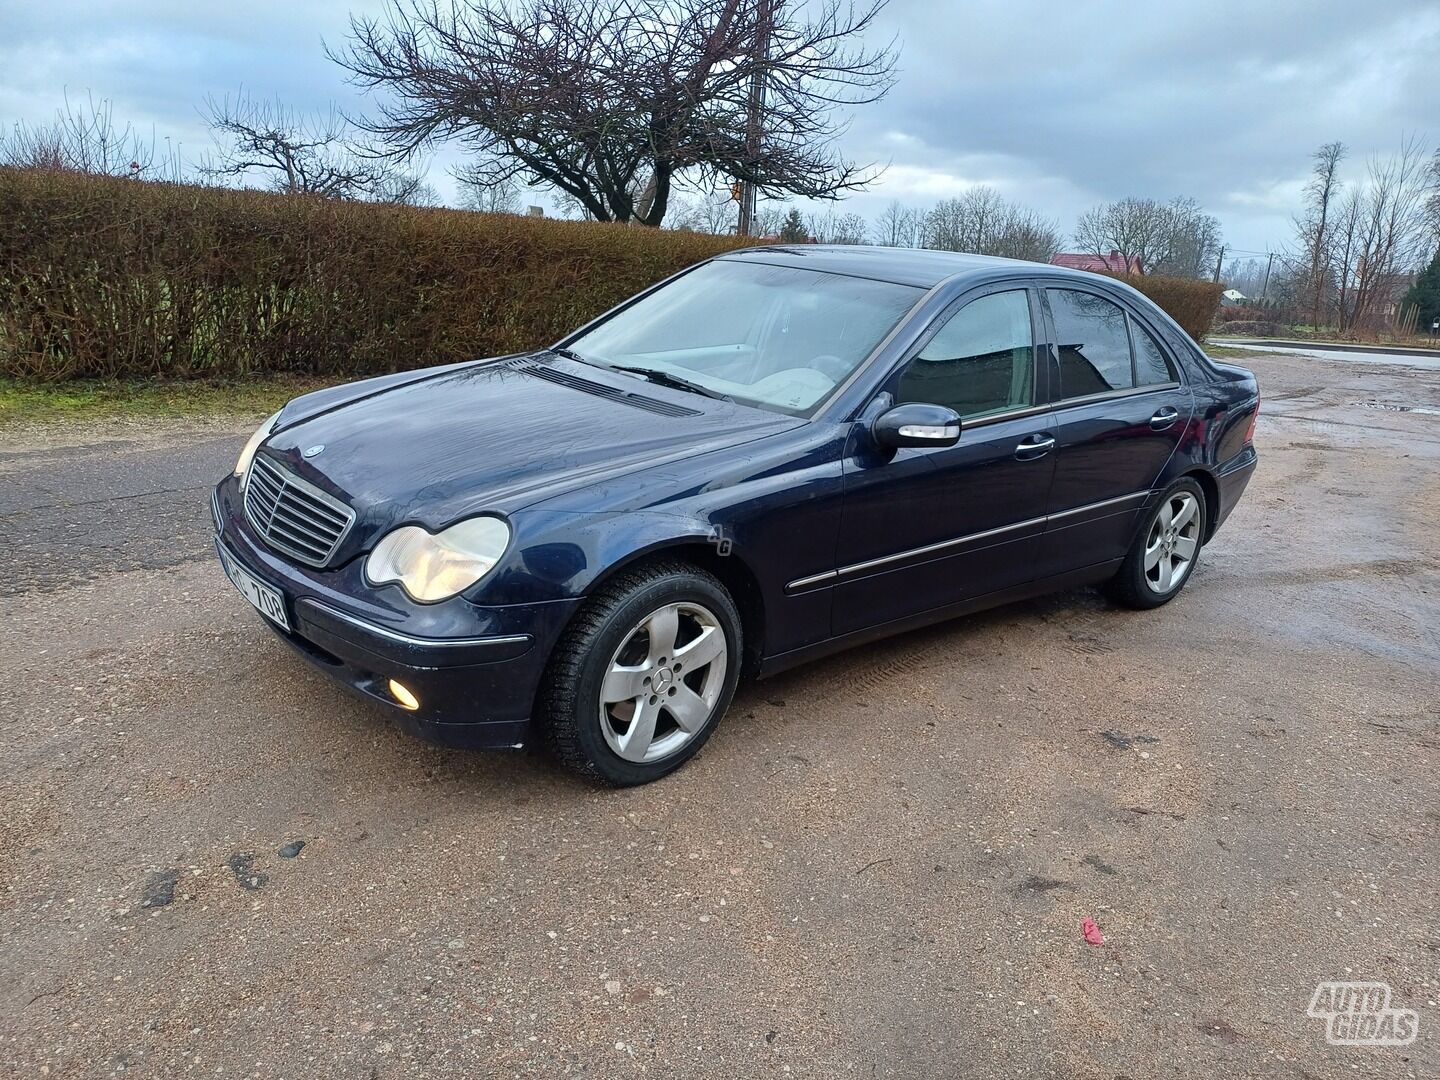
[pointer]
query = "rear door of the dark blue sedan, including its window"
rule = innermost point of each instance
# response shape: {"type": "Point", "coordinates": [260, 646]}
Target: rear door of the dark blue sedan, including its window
{"type": "Point", "coordinates": [1121, 411]}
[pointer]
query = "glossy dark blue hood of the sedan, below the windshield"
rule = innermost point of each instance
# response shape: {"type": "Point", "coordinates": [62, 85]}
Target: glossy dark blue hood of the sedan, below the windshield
{"type": "Point", "coordinates": [498, 437]}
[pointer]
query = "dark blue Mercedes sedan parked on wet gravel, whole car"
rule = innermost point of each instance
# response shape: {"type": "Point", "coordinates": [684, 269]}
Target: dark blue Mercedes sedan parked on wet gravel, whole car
{"type": "Point", "coordinates": [774, 456]}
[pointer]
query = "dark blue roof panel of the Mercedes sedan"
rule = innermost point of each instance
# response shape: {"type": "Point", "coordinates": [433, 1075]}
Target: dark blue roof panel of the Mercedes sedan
{"type": "Point", "coordinates": [901, 266]}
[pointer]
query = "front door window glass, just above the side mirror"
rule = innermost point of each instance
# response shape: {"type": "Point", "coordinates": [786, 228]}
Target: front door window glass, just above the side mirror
{"type": "Point", "coordinates": [981, 361]}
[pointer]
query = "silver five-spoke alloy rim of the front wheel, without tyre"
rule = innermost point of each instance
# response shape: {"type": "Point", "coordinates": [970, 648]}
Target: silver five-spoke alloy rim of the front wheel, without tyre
{"type": "Point", "coordinates": [665, 682]}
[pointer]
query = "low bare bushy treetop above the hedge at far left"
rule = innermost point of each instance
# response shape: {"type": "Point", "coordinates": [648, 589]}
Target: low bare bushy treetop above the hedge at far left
{"type": "Point", "coordinates": [86, 139]}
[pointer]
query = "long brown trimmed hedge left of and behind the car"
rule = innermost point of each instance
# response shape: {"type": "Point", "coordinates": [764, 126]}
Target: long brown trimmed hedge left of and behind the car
{"type": "Point", "coordinates": [117, 279]}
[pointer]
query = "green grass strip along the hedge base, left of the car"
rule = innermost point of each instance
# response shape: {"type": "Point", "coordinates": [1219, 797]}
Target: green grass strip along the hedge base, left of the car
{"type": "Point", "coordinates": [25, 402]}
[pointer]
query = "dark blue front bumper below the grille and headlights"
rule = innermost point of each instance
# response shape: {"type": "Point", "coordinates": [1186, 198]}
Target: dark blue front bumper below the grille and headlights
{"type": "Point", "coordinates": [474, 670]}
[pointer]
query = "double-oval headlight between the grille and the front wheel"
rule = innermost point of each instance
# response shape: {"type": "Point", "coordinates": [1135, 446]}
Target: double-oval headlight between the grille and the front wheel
{"type": "Point", "coordinates": [434, 567]}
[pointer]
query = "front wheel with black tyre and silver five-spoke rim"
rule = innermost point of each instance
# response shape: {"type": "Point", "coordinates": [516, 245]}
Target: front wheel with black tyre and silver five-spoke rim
{"type": "Point", "coordinates": [643, 675]}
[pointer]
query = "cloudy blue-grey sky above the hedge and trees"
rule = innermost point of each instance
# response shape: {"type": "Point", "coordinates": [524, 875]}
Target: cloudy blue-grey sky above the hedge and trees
{"type": "Point", "coordinates": [1059, 104]}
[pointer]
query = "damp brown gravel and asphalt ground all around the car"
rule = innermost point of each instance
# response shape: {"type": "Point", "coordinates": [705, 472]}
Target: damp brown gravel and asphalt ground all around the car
{"type": "Point", "coordinates": [214, 863]}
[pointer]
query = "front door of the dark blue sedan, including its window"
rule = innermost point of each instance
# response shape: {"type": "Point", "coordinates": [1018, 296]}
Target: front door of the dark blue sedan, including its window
{"type": "Point", "coordinates": [928, 528]}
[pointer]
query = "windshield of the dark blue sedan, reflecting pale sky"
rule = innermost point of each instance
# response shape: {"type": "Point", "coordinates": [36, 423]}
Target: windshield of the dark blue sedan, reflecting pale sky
{"type": "Point", "coordinates": [777, 338]}
